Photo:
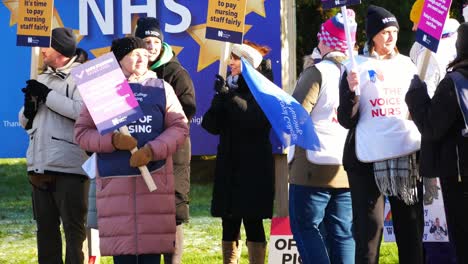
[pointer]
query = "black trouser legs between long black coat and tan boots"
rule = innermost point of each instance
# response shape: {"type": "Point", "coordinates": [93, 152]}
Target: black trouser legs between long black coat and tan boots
{"type": "Point", "coordinates": [253, 229]}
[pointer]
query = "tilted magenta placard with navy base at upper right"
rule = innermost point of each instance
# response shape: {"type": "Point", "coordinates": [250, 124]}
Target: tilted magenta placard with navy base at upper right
{"type": "Point", "coordinates": [432, 22]}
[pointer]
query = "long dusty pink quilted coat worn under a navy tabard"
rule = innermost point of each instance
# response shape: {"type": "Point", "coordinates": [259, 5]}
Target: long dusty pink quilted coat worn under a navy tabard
{"type": "Point", "coordinates": [132, 220]}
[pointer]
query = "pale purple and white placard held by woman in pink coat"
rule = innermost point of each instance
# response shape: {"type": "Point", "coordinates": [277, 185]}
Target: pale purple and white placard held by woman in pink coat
{"type": "Point", "coordinates": [106, 93]}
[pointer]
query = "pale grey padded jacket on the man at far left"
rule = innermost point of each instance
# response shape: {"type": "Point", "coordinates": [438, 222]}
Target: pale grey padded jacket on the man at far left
{"type": "Point", "coordinates": [51, 143]}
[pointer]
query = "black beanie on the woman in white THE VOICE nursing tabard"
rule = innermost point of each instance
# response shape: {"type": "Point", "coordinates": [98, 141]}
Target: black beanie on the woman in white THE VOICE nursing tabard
{"type": "Point", "coordinates": [378, 18]}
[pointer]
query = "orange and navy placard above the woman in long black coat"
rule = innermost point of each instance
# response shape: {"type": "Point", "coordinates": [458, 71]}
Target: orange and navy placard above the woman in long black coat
{"type": "Point", "coordinates": [226, 20]}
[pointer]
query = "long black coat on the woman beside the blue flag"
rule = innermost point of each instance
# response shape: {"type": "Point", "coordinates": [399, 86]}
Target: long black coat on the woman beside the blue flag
{"type": "Point", "coordinates": [244, 173]}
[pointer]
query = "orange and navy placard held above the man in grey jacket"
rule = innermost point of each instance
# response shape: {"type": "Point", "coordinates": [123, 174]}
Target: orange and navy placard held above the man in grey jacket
{"type": "Point", "coordinates": [34, 23]}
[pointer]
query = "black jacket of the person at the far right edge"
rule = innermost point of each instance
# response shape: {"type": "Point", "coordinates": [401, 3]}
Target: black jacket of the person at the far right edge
{"type": "Point", "coordinates": [440, 122]}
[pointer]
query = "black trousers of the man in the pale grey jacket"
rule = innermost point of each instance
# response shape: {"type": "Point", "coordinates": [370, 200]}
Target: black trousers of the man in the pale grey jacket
{"type": "Point", "coordinates": [60, 199]}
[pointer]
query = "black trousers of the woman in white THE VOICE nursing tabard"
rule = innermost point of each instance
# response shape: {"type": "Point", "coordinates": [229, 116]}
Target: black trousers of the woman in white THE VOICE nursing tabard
{"type": "Point", "coordinates": [368, 218]}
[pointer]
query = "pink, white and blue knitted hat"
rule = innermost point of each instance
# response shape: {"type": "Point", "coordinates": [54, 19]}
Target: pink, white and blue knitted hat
{"type": "Point", "coordinates": [332, 32]}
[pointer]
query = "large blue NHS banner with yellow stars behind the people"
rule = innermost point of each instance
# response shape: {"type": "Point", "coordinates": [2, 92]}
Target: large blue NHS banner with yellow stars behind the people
{"type": "Point", "coordinates": [97, 23]}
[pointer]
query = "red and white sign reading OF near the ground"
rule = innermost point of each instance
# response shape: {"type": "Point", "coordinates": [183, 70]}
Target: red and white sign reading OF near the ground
{"type": "Point", "coordinates": [283, 248]}
